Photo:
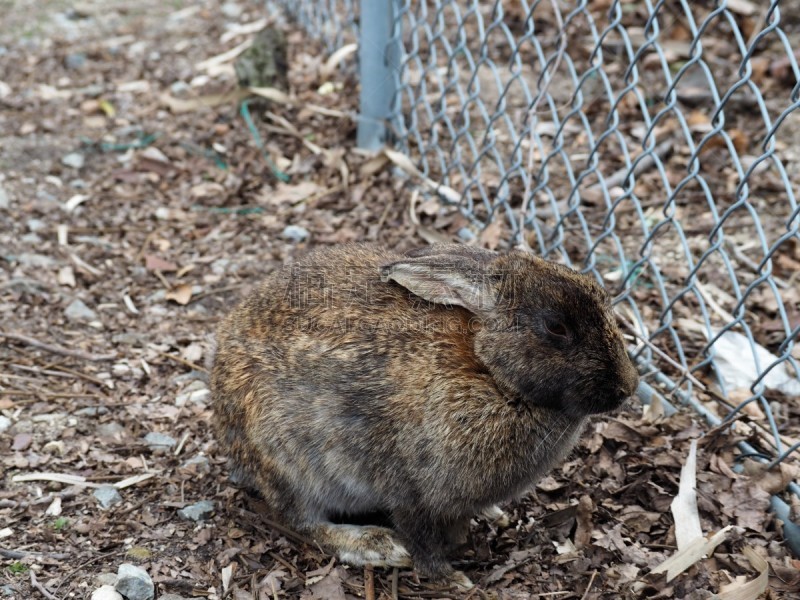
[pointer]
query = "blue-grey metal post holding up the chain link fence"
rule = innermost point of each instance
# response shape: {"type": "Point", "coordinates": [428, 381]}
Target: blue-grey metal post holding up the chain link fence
{"type": "Point", "coordinates": [379, 60]}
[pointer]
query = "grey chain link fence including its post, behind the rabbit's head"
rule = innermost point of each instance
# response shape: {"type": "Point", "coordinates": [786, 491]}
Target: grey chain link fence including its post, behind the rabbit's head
{"type": "Point", "coordinates": [663, 157]}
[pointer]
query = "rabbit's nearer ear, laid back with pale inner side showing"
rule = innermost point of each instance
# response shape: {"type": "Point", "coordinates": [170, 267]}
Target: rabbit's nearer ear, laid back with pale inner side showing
{"type": "Point", "coordinates": [457, 281]}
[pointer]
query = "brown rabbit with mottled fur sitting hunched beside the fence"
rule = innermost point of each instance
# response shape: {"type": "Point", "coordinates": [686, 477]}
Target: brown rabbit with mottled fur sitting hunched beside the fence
{"type": "Point", "coordinates": [427, 386]}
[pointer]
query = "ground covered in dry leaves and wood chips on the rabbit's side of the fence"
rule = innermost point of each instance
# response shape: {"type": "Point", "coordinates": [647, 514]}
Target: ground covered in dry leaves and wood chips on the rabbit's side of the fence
{"type": "Point", "coordinates": [133, 218]}
